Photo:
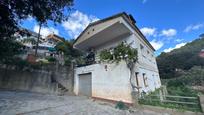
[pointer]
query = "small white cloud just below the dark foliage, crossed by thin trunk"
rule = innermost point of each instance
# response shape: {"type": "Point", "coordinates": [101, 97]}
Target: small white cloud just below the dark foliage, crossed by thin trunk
{"type": "Point", "coordinates": [45, 31]}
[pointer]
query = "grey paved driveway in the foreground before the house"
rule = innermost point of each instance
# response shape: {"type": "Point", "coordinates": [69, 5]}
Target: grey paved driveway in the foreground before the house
{"type": "Point", "coordinates": [26, 103]}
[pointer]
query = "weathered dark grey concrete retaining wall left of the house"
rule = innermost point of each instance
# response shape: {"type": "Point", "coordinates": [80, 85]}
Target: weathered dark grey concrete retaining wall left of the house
{"type": "Point", "coordinates": [42, 80]}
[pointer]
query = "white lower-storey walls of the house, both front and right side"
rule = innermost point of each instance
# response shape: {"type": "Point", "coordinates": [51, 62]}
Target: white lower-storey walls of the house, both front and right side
{"type": "Point", "coordinates": [113, 83]}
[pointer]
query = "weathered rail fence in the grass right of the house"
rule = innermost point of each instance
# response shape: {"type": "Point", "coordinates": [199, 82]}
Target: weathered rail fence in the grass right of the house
{"type": "Point", "coordinates": [170, 101]}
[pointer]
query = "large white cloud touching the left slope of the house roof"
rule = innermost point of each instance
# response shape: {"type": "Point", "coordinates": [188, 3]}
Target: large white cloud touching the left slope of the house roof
{"type": "Point", "coordinates": [77, 22]}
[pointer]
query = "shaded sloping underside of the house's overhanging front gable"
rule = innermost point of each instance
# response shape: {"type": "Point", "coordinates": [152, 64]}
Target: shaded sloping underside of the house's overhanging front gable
{"type": "Point", "coordinates": [99, 38]}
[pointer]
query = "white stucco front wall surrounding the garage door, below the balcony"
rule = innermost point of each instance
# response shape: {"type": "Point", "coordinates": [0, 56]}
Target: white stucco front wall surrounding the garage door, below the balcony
{"type": "Point", "coordinates": [111, 83]}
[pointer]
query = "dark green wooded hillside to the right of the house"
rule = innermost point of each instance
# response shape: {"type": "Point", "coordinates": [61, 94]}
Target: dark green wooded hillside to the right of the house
{"type": "Point", "coordinates": [173, 64]}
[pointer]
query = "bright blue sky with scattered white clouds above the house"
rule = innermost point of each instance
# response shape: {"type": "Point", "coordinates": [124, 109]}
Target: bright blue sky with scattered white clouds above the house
{"type": "Point", "coordinates": [167, 24]}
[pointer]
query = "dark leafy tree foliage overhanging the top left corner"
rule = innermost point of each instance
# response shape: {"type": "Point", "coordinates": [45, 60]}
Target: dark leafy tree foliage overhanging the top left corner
{"type": "Point", "coordinates": [14, 11]}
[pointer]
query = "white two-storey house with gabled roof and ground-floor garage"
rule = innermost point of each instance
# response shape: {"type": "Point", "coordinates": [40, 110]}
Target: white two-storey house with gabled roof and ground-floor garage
{"type": "Point", "coordinates": [111, 81]}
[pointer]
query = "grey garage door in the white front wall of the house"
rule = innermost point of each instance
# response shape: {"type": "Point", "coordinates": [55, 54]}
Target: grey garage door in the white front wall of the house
{"type": "Point", "coordinates": [85, 84]}
